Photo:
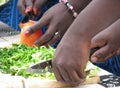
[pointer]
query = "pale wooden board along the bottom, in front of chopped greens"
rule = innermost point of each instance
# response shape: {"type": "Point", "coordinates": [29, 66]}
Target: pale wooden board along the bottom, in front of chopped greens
{"type": "Point", "coordinates": [8, 81]}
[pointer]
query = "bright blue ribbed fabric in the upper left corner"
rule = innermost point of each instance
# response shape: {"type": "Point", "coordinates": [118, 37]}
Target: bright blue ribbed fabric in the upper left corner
{"type": "Point", "coordinates": [10, 15]}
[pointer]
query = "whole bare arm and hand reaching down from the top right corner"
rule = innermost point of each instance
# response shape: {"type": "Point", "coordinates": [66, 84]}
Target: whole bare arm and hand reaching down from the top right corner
{"type": "Point", "coordinates": [73, 51]}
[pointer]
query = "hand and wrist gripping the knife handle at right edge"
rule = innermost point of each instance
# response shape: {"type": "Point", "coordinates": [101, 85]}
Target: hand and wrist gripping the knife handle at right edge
{"type": "Point", "coordinates": [108, 41]}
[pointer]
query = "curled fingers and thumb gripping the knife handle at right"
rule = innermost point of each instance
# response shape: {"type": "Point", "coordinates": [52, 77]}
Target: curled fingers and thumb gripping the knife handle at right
{"type": "Point", "coordinates": [105, 50]}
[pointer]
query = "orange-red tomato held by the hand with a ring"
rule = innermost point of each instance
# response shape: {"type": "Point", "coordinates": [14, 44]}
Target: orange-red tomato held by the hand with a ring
{"type": "Point", "coordinates": [29, 39]}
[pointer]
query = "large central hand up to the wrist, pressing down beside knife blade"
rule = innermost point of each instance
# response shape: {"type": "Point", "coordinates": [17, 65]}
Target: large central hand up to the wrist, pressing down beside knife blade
{"type": "Point", "coordinates": [70, 59]}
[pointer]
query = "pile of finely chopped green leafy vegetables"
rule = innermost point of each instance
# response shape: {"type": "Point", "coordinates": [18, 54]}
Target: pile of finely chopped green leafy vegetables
{"type": "Point", "coordinates": [17, 59]}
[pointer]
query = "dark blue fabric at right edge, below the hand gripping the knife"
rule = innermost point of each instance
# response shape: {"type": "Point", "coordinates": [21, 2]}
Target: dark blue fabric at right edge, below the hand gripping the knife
{"type": "Point", "coordinates": [112, 65]}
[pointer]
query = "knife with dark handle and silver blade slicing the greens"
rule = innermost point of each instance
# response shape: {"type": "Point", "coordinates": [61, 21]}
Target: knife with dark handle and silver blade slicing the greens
{"type": "Point", "coordinates": [46, 66]}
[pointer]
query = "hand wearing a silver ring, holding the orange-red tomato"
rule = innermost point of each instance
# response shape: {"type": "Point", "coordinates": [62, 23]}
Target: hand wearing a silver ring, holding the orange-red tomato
{"type": "Point", "coordinates": [55, 19]}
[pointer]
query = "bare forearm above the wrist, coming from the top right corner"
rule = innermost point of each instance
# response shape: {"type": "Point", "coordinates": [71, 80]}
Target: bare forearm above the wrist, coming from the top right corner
{"type": "Point", "coordinates": [98, 15]}
